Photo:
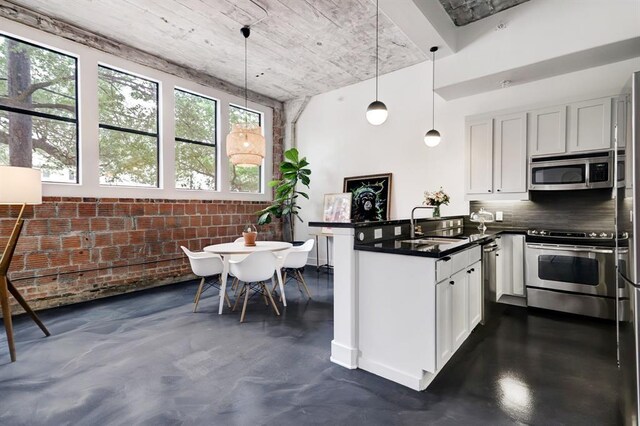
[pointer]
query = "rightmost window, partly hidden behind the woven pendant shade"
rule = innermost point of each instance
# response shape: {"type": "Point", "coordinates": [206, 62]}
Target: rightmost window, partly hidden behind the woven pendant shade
{"type": "Point", "coordinates": [244, 178]}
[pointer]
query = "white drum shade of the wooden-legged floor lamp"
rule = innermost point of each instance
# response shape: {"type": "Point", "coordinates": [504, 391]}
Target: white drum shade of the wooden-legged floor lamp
{"type": "Point", "coordinates": [20, 185]}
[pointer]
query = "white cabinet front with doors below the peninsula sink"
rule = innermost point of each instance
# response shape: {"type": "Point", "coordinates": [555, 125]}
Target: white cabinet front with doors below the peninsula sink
{"type": "Point", "coordinates": [459, 309]}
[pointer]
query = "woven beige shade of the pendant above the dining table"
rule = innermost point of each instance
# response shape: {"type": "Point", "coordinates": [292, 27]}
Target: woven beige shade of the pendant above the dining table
{"type": "Point", "coordinates": [245, 145]}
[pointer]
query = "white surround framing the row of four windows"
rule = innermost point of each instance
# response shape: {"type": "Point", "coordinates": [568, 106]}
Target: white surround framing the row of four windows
{"type": "Point", "coordinates": [87, 185]}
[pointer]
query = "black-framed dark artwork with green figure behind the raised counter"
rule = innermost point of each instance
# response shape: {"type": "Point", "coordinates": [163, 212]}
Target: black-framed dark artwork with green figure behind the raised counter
{"type": "Point", "coordinates": [370, 197]}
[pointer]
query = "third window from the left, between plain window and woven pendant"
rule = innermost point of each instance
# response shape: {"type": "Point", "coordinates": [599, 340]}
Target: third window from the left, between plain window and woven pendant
{"type": "Point", "coordinates": [195, 141]}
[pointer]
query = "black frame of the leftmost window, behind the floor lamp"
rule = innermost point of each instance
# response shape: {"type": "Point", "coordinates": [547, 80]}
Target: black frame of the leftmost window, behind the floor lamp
{"type": "Point", "coordinates": [75, 121]}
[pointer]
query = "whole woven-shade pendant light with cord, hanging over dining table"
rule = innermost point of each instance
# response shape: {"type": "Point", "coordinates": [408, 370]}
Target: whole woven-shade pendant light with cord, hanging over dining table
{"type": "Point", "coordinates": [245, 142]}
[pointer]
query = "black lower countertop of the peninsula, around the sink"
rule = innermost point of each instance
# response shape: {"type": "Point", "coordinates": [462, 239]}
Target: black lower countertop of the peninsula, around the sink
{"type": "Point", "coordinates": [468, 238]}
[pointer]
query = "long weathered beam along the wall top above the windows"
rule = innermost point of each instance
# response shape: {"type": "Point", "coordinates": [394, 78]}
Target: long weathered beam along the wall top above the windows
{"type": "Point", "coordinates": [79, 35]}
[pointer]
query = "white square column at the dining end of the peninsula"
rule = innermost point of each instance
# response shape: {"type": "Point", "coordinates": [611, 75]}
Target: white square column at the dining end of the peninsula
{"type": "Point", "coordinates": [344, 346]}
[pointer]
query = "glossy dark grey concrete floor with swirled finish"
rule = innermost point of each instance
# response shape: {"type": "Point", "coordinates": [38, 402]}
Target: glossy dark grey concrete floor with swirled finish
{"type": "Point", "coordinates": [145, 358]}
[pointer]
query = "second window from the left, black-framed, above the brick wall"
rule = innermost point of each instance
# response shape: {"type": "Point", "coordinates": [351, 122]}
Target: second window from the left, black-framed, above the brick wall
{"type": "Point", "coordinates": [128, 108]}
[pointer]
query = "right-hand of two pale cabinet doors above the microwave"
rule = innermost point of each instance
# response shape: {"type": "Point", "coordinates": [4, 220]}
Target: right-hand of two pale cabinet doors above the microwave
{"type": "Point", "coordinates": [590, 125]}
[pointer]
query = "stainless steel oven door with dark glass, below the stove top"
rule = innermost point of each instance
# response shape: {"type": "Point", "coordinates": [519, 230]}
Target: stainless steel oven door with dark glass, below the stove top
{"type": "Point", "coordinates": [575, 269]}
